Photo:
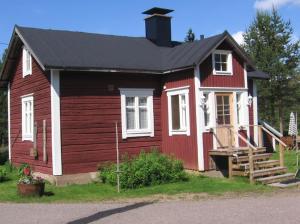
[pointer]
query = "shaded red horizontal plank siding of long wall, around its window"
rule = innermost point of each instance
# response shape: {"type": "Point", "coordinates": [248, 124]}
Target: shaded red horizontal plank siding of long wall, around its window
{"type": "Point", "coordinates": [90, 105]}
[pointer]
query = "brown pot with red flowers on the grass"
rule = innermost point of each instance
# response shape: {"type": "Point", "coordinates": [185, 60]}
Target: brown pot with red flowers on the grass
{"type": "Point", "coordinates": [29, 185]}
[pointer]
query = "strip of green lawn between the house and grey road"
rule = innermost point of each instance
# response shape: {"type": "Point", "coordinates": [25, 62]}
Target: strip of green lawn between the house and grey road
{"type": "Point", "coordinates": [100, 192]}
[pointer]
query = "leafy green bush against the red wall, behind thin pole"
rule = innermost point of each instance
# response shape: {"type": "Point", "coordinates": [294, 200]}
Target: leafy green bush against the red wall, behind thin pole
{"type": "Point", "coordinates": [144, 170]}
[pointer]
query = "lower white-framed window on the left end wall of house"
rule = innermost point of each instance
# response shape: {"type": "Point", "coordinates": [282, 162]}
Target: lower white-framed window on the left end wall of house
{"type": "Point", "coordinates": [27, 118]}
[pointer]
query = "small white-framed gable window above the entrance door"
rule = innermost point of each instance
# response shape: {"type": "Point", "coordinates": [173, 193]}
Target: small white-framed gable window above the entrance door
{"type": "Point", "coordinates": [222, 62]}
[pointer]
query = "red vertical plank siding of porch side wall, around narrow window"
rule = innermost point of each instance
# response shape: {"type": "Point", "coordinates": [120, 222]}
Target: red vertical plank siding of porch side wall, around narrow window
{"type": "Point", "coordinates": [181, 146]}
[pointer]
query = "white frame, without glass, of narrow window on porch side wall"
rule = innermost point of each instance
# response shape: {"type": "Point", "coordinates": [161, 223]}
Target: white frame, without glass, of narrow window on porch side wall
{"type": "Point", "coordinates": [173, 92]}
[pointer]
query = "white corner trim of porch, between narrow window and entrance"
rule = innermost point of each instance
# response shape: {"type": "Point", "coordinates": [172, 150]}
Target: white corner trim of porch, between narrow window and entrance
{"type": "Point", "coordinates": [199, 120]}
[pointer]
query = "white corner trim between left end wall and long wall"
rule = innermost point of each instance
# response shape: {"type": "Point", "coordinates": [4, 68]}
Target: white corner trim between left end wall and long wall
{"type": "Point", "coordinates": [55, 123]}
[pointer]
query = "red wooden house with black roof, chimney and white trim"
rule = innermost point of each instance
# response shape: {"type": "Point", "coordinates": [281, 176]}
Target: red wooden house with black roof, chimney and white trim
{"type": "Point", "coordinates": [67, 89]}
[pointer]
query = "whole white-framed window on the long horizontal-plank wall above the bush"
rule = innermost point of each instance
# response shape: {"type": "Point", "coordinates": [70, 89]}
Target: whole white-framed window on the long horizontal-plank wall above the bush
{"type": "Point", "coordinates": [137, 112]}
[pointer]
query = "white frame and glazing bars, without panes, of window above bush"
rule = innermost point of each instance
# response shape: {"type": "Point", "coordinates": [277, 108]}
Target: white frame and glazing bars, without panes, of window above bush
{"type": "Point", "coordinates": [130, 92]}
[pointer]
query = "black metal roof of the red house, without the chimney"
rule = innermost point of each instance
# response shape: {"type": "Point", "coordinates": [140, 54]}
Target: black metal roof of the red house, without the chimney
{"type": "Point", "coordinates": [68, 50]}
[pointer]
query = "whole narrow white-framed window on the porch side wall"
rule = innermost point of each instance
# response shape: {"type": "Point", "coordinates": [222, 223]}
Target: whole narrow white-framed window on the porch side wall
{"type": "Point", "coordinates": [178, 111]}
